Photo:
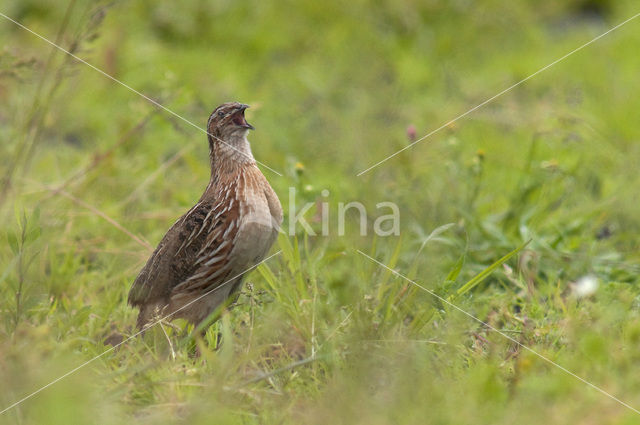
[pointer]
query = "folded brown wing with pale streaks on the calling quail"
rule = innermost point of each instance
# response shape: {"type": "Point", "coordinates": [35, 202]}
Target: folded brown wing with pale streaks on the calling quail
{"type": "Point", "coordinates": [203, 236]}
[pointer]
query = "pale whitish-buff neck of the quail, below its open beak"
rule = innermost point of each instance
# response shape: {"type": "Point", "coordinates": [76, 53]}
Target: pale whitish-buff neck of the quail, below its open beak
{"type": "Point", "coordinates": [230, 156]}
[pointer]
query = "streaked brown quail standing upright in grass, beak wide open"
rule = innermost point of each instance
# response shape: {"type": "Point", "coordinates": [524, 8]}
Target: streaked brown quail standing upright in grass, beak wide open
{"type": "Point", "coordinates": [200, 263]}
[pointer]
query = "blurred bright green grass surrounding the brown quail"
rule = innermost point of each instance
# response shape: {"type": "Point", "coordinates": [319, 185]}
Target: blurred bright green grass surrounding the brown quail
{"type": "Point", "coordinates": [92, 176]}
